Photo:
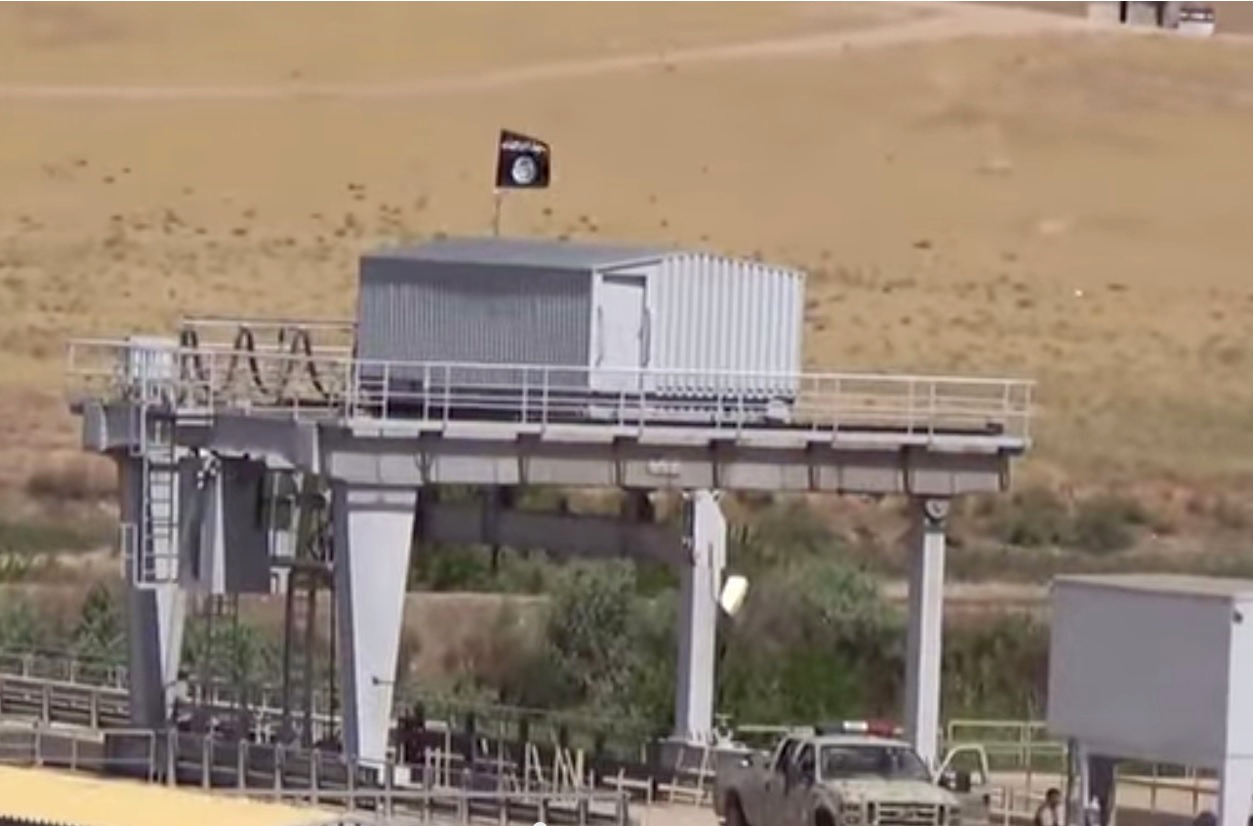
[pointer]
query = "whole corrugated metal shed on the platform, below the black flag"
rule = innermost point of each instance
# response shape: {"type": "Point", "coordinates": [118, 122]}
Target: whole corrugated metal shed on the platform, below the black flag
{"type": "Point", "coordinates": [672, 323]}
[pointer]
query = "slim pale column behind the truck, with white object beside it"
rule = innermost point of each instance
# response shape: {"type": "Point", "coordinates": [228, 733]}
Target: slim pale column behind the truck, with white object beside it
{"type": "Point", "coordinates": [699, 615]}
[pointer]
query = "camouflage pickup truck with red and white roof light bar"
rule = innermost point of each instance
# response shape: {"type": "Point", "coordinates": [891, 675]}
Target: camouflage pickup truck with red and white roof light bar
{"type": "Point", "coordinates": [848, 775]}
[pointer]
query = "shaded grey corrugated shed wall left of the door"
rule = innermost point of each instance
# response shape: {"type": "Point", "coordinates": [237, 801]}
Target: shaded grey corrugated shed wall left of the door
{"type": "Point", "coordinates": [423, 313]}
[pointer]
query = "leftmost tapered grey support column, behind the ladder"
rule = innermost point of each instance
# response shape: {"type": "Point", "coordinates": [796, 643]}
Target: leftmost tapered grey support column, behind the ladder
{"type": "Point", "coordinates": [156, 614]}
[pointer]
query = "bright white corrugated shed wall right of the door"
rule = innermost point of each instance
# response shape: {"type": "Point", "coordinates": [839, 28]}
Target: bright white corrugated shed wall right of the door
{"type": "Point", "coordinates": [714, 314]}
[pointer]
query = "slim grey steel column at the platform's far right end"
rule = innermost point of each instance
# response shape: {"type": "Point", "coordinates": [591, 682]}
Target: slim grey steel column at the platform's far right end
{"type": "Point", "coordinates": [924, 630]}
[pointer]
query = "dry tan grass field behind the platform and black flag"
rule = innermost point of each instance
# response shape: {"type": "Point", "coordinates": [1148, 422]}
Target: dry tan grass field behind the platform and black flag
{"type": "Point", "coordinates": [974, 189]}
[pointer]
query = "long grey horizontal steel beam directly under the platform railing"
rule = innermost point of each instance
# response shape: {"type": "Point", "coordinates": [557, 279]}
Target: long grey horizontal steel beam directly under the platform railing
{"type": "Point", "coordinates": [413, 454]}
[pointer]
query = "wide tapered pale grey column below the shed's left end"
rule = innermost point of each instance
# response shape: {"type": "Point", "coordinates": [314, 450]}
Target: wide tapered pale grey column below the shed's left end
{"type": "Point", "coordinates": [373, 531]}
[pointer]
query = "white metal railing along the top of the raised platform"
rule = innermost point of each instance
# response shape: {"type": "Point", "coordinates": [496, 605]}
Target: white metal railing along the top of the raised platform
{"type": "Point", "coordinates": [268, 378]}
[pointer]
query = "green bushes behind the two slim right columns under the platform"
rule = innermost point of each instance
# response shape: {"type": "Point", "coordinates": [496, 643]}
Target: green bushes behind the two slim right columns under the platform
{"type": "Point", "coordinates": [816, 641]}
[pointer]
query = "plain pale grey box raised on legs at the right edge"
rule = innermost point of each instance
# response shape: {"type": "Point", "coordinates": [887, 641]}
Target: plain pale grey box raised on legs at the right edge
{"type": "Point", "coordinates": [1153, 669]}
